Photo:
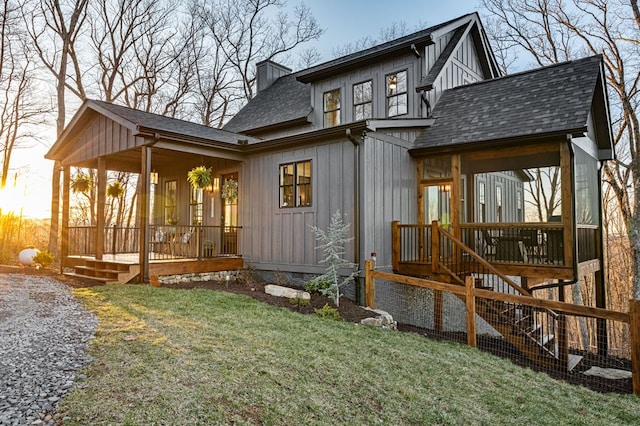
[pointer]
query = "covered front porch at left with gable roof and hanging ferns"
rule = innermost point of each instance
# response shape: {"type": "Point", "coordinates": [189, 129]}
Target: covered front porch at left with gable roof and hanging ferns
{"type": "Point", "coordinates": [169, 225]}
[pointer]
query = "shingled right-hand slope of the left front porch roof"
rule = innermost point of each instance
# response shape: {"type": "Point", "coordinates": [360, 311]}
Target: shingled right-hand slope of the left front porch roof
{"type": "Point", "coordinates": [162, 124]}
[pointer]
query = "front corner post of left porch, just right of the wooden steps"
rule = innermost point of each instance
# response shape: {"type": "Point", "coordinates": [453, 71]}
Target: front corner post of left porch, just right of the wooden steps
{"type": "Point", "coordinates": [143, 212]}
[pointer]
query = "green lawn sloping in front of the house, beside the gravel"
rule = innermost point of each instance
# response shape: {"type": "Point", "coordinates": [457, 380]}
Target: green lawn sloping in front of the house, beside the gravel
{"type": "Point", "coordinates": [189, 357]}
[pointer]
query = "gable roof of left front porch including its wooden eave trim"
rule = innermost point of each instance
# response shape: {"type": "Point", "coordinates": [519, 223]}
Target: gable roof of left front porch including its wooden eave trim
{"type": "Point", "coordinates": [143, 123]}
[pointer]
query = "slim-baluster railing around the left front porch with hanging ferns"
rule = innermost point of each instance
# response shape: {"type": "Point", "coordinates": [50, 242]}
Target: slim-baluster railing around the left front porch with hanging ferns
{"type": "Point", "coordinates": [165, 241]}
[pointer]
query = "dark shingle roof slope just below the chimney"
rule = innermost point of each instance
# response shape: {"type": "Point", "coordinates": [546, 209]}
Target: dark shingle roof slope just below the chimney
{"type": "Point", "coordinates": [284, 101]}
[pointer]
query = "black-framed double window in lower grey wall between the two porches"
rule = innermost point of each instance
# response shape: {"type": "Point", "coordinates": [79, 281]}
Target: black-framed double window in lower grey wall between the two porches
{"type": "Point", "coordinates": [295, 184]}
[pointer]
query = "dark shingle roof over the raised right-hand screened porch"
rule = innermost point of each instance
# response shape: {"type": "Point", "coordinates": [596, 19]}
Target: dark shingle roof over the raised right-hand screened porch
{"type": "Point", "coordinates": [553, 99]}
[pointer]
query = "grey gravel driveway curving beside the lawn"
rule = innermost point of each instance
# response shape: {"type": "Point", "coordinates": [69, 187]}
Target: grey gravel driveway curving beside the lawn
{"type": "Point", "coordinates": [43, 340]}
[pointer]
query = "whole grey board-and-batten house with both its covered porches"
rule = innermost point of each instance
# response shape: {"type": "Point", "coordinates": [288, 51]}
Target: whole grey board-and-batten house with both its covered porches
{"type": "Point", "coordinates": [419, 129]}
